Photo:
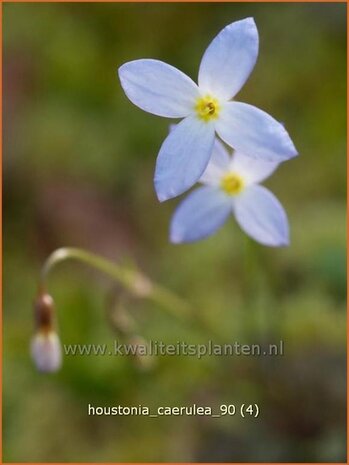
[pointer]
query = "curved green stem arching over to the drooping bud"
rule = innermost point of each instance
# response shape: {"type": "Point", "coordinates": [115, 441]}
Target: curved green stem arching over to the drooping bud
{"type": "Point", "coordinates": [133, 280]}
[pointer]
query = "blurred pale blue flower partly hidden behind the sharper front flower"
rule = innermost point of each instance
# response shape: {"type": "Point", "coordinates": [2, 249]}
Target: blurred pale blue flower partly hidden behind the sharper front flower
{"type": "Point", "coordinates": [231, 186]}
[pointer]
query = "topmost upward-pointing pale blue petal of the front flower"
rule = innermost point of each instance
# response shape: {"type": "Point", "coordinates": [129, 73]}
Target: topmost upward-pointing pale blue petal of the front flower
{"type": "Point", "coordinates": [229, 59]}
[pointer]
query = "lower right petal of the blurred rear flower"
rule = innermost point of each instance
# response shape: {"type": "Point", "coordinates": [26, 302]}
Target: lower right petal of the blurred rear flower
{"type": "Point", "coordinates": [261, 216]}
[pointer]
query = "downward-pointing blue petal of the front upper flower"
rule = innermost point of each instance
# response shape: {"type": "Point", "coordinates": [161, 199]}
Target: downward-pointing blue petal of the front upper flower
{"type": "Point", "coordinates": [183, 157]}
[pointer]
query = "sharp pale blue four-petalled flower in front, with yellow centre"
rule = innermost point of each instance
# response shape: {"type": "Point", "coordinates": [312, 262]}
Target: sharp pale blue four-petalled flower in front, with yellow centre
{"type": "Point", "coordinates": [207, 109]}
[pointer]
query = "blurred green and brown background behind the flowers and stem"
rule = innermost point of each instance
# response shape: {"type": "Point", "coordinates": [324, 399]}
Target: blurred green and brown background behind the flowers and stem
{"type": "Point", "coordinates": [78, 163]}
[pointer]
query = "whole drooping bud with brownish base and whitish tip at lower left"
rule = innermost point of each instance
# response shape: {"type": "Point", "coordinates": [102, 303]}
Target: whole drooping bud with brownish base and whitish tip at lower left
{"type": "Point", "coordinates": [45, 346]}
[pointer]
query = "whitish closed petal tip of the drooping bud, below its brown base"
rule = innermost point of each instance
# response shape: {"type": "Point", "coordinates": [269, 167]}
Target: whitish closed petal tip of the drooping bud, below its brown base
{"type": "Point", "coordinates": [46, 351]}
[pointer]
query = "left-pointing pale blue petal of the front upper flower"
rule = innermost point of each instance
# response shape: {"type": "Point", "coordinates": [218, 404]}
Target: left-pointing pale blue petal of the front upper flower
{"type": "Point", "coordinates": [158, 88]}
